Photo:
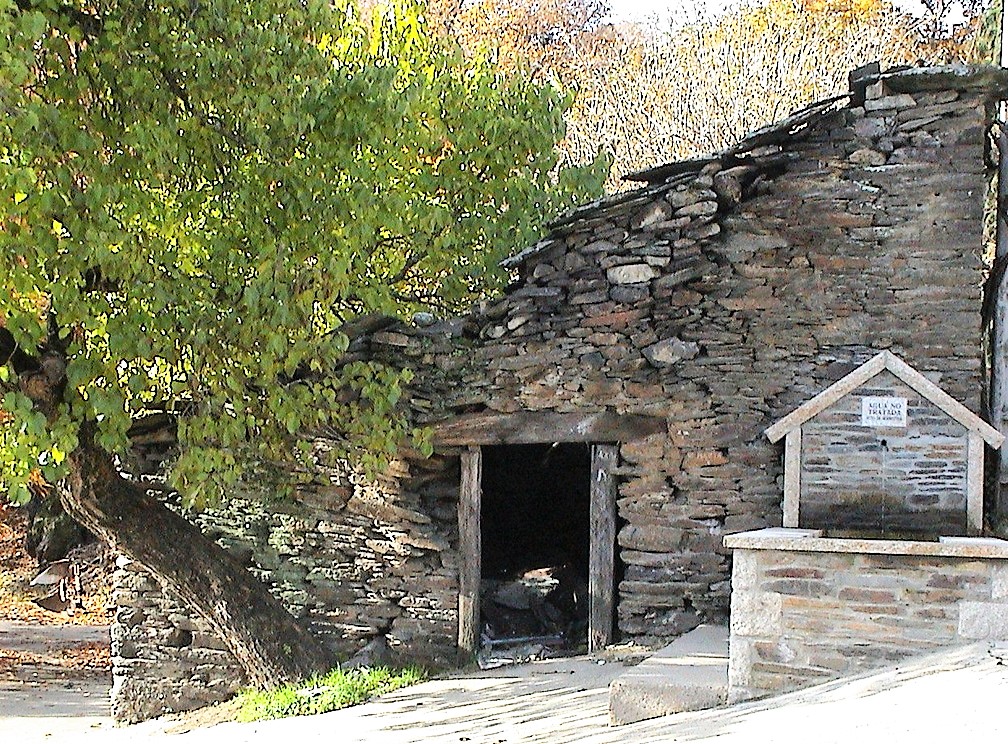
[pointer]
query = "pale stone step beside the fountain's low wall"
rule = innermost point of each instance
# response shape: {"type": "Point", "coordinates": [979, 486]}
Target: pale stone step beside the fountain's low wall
{"type": "Point", "coordinates": [689, 675]}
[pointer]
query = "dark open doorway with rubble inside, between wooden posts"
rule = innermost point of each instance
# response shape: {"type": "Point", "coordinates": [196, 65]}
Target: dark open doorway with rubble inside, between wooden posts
{"type": "Point", "coordinates": [536, 538]}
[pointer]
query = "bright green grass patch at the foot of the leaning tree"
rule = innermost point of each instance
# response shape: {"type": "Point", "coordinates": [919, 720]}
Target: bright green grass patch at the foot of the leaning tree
{"type": "Point", "coordinates": [339, 689]}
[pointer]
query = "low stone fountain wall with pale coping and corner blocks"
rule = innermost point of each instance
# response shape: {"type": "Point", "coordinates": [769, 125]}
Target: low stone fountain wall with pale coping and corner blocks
{"type": "Point", "coordinates": [806, 609]}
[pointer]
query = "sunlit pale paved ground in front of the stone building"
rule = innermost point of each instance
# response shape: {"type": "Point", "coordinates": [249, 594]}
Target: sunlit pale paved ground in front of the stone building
{"type": "Point", "coordinates": [957, 693]}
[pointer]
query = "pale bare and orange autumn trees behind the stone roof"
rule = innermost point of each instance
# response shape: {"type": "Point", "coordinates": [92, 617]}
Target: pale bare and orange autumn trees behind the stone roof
{"type": "Point", "coordinates": [648, 96]}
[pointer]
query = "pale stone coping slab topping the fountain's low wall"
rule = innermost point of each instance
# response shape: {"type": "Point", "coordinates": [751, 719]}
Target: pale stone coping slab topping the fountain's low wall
{"type": "Point", "coordinates": [812, 541]}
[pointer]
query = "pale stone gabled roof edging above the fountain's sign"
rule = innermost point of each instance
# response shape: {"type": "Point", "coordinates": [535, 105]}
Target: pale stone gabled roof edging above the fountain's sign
{"type": "Point", "coordinates": [881, 362]}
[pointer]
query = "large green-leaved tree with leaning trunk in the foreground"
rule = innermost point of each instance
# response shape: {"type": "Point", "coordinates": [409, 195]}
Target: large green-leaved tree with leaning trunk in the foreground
{"type": "Point", "coordinates": [197, 197]}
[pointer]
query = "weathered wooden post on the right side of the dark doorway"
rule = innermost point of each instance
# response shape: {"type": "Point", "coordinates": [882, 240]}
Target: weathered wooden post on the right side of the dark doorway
{"type": "Point", "coordinates": [602, 551]}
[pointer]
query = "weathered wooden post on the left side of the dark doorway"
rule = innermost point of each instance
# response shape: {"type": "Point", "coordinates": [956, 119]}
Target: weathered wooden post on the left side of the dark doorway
{"type": "Point", "coordinates": [470, 552]}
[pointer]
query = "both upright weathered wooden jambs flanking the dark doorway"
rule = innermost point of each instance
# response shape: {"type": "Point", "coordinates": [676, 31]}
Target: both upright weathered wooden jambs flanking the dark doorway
{"type": "Point", "coordinates": [602, 548]}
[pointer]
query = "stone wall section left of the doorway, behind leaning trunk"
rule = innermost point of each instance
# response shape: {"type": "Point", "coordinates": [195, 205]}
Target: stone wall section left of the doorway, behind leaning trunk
{"type": "Point", "coordinates": [371, 567]}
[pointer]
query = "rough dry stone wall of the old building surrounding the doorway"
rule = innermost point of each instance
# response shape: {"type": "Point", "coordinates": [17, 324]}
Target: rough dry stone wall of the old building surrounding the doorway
{"type": "Point", "coordinates": [718, 297]}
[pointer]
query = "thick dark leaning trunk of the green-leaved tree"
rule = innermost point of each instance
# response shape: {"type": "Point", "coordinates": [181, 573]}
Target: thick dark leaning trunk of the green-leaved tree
{"type": "Point", "coordinates": [269, 643]}
